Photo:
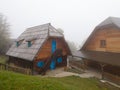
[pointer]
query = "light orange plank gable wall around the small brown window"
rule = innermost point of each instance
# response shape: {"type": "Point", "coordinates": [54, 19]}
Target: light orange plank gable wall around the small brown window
{"type": "Point", "coordinates": [112, 37]}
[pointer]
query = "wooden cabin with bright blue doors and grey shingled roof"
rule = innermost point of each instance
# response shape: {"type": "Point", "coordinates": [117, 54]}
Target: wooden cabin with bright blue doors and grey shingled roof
{"type": "Point", "coordinates": [35, 49]}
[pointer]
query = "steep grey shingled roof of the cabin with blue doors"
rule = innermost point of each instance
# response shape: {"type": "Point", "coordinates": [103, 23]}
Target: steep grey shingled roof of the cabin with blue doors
{"type": "Point", "coordinates": [40, 34]}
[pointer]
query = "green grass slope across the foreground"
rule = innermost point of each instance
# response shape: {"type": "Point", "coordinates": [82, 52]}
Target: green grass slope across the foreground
{"type": "Point", "coordinates": [15, 81]}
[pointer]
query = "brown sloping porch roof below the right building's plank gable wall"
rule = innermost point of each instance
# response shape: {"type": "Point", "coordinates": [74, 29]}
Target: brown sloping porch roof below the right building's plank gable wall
{"type": "Point", "coordinates": [101, 57]}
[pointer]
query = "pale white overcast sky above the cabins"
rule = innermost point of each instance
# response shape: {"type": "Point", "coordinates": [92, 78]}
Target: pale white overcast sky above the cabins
{"type": "Point", "coordinates": [77, 18]}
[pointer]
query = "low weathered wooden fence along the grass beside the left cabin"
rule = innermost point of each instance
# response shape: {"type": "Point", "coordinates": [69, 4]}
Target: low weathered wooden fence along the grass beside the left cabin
{"type": "Point", "coordinates": [15, 69]}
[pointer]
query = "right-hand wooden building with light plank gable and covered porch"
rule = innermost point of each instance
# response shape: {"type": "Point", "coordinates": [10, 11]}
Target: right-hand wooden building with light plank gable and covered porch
{"type": "Point", "coordinates": [102, 49]}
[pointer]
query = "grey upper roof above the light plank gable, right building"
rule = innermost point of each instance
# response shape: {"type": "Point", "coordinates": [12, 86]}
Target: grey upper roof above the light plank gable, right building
{"type": "Point", "coordinates": [109, 22]}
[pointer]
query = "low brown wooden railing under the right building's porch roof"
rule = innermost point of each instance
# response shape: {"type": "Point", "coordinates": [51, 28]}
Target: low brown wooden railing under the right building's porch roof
{"type": "Point", "coordinates": [111, 77]}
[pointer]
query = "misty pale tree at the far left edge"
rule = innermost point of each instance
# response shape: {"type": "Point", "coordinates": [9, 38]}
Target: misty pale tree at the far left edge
{"type": "Point", "coordinates": [4, 34]}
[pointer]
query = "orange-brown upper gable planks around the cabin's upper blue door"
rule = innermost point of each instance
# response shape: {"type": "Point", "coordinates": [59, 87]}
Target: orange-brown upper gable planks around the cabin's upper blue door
{"type": "Point", "coordinates": [45, 51]}
